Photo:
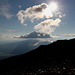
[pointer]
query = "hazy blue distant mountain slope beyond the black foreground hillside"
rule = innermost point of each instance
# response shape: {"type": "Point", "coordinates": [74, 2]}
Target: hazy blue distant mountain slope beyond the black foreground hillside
{"type": "Point", "coordinates": [20, 47]}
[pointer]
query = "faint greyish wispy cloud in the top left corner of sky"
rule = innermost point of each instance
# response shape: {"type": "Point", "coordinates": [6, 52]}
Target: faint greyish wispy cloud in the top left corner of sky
{"type": "Point", "coordinates": [5, 9]}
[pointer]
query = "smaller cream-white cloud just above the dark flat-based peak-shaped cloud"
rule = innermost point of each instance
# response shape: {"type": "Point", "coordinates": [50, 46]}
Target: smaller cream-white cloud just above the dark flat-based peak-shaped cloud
{"type": "Point", "coordinates": [47, 26]}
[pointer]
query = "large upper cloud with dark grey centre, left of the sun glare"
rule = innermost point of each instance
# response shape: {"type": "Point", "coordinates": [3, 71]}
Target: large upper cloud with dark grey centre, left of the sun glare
{"type": "Point", "coordinates": [35, 12]}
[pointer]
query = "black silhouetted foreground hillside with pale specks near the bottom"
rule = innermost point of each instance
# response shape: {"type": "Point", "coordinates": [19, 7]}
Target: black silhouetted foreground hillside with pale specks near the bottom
{"type": "Point", "coordinates": [57, 58]}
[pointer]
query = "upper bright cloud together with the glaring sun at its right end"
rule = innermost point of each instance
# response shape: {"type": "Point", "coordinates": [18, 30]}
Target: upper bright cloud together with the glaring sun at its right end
{"type": "Point", "coordinates": [40, 11]}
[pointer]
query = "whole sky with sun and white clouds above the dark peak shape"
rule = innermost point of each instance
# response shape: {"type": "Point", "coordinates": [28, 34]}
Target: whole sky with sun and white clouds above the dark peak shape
{"type": "Point", "coordinates": [53, 17]}
